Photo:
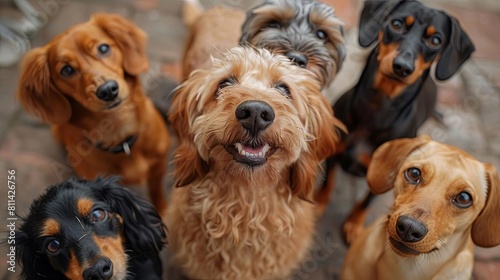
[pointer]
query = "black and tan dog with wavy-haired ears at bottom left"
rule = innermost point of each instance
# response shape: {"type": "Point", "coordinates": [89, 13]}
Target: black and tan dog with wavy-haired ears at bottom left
{"type": "Point", "coordinates": [90, 230]}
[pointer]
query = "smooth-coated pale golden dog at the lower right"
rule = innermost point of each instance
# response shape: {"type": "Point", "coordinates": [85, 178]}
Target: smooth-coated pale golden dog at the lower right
{"type": "Point", "coordinates": [446, 201]}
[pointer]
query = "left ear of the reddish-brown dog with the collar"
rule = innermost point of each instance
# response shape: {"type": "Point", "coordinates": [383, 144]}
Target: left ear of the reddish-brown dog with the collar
{"type": "Point", "coordinates": [36, 92]}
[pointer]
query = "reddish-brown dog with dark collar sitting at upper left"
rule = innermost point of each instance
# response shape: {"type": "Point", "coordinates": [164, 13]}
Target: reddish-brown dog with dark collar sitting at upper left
{"type": "Point", "coordinates": [86, 83]}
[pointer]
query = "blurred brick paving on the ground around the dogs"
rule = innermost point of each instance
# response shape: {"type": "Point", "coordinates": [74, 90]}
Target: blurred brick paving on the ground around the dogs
{"type": "Point", "coordinates": [470, 103]}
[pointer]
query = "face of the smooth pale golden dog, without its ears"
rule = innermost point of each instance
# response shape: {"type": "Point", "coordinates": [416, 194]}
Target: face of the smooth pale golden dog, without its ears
{"type": "Point", "coordinates": [439, 192]}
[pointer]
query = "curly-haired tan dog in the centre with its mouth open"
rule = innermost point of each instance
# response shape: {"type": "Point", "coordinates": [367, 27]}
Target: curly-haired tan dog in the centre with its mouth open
{"type": "Point", "coordinates": [254, 129]}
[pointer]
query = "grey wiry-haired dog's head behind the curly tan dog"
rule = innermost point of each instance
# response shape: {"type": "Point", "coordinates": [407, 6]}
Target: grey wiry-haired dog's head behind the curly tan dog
{"type": "Point", "coordinates": [306, 31]}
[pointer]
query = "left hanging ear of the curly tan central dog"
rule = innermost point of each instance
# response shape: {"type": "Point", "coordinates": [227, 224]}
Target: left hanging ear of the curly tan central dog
{"type": "Point", "coordinates": [188, 163]}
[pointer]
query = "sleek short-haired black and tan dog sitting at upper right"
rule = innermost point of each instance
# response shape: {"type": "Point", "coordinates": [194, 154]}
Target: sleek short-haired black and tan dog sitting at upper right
{"type": "Point", "coordinates": [394, 95]}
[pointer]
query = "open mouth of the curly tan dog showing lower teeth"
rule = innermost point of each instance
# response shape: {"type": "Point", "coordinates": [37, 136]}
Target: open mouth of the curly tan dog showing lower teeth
{"type": "Point", "coordinates": [250, 154]}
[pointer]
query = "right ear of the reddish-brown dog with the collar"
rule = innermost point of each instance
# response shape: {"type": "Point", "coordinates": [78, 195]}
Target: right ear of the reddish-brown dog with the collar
{"type": "Point", "coordinates": [130, 39]}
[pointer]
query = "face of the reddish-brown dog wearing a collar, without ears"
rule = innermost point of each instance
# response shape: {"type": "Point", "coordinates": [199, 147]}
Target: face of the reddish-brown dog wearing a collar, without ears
{"type": "Point", "coordinates": [87, 65]}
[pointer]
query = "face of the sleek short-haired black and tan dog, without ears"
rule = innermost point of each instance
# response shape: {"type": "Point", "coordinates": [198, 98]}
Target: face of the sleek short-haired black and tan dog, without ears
{"type": "Point", "coordinates": [410, 40]}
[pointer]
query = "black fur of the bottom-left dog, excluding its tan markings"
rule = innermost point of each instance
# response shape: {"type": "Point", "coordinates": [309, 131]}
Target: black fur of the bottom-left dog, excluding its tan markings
{"type": "Point", "coordinates": [142, 229]}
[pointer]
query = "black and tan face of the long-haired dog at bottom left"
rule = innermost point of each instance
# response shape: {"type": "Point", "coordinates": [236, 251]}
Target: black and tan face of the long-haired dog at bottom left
{"type": "Point", "coordinates": [82, 239]}
